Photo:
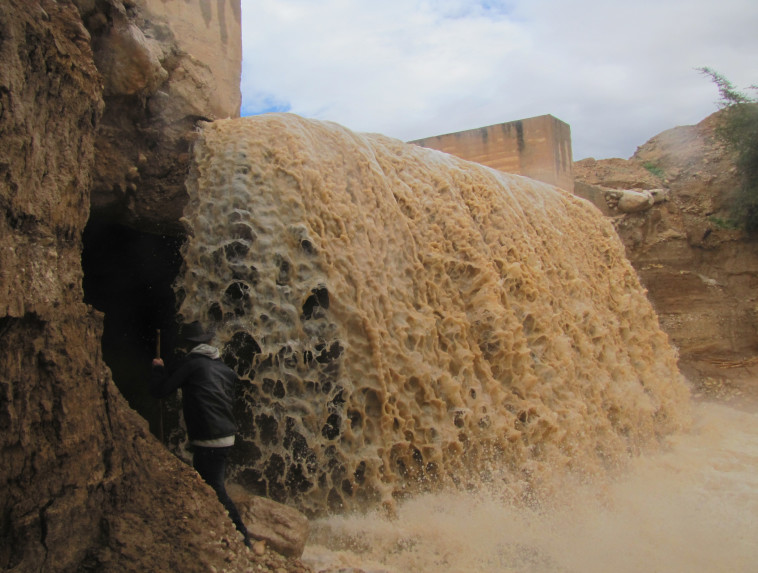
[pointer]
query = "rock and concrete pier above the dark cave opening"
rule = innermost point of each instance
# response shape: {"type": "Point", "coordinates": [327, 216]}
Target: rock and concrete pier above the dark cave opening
{"type": "Point", "coordinates": [165, 65]}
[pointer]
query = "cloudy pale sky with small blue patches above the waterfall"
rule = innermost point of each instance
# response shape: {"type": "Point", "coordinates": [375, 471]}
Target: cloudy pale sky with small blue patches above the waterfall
{"type": "Point", "coordinates": [618, 72]}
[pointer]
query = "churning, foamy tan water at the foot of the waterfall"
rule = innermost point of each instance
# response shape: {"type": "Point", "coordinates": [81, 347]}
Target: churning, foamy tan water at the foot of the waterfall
{"type": "Point", "coordinates": [689, 508]}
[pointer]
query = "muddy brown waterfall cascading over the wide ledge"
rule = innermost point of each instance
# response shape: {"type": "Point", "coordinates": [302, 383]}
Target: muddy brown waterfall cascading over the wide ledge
{"type": "Point", "coordinates": [404, 321]}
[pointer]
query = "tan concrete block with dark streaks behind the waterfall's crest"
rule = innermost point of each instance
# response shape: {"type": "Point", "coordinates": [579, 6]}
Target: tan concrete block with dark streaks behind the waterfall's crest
{"type": "Point", "coordinates": [538, 147]}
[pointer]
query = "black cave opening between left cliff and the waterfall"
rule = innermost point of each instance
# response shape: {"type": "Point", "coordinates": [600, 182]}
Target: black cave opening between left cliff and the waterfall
{"type": "Point", "coordinates": [128, 276]}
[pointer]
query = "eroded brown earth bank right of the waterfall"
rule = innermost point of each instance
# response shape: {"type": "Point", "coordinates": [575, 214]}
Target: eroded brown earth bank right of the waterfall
{"type": "Point", "coordinates": [700, 272]}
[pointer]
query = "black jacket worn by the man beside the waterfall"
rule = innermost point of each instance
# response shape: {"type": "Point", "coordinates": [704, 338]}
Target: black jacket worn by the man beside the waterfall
{"type": "Point", "coordinates": [207, 394]}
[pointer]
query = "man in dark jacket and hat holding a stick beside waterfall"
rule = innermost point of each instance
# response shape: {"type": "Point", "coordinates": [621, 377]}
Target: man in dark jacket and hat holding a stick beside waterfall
{"type": "Point", "coordinates": [207, 399]}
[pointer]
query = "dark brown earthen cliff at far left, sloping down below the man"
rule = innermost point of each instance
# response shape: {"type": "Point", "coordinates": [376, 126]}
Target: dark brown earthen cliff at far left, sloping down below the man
{"type": "Point", "coordinates": [85, 486]}
